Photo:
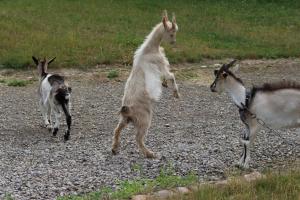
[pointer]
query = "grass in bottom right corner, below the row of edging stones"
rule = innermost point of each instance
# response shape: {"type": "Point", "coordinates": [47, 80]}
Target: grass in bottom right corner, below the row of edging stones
{"type": "Point", "coordinates": [276, 186]}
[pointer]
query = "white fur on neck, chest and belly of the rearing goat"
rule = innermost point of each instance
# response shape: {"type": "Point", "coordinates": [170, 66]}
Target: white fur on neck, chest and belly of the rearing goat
{"type": "Point", "coordinates": [149, 66]}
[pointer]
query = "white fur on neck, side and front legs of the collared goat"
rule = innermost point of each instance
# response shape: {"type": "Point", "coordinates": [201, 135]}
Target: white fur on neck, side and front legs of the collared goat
{"type": "Point", "coordinates": [276, 109]}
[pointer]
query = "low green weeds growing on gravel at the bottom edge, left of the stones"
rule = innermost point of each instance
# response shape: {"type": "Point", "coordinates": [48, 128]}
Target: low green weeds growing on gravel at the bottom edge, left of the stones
{"type": "Point", "coordinates": [126, 189]}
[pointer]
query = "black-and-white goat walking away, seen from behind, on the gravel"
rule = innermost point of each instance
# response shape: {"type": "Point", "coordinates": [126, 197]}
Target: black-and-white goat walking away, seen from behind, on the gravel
{"type": "Point", "coordinates": [55, 96]}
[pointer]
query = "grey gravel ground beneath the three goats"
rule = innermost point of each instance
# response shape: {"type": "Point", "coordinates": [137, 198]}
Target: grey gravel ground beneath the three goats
{"type": "Point", "coordinates": [198, 132]}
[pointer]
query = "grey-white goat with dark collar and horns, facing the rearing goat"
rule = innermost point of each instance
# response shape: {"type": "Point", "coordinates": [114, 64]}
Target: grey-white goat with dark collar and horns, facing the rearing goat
{"type": "Point", "coordinates": [275, 105]}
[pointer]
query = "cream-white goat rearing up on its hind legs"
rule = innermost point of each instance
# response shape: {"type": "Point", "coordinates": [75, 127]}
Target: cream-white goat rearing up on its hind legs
{"type": "Point", "coordinates": [143, 86]}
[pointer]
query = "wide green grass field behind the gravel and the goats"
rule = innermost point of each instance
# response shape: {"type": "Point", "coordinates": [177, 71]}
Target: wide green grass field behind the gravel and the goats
{"type": "Point", "coordinates": [85, 33]}
